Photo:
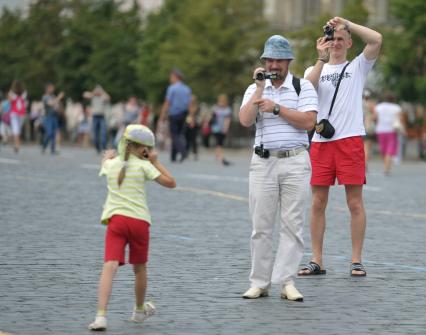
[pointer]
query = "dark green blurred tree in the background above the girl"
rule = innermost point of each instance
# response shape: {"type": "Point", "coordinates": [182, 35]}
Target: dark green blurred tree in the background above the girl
{"type": "Point", "coordinates": [99, 47]}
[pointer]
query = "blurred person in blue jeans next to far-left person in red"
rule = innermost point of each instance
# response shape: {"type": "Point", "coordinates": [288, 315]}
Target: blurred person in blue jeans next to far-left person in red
{"type": "Point", "coordinates": [50, 119]}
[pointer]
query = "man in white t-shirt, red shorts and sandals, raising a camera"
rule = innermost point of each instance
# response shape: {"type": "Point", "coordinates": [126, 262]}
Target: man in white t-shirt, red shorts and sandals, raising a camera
{"type": "Point", "coordinates": [342, 155]}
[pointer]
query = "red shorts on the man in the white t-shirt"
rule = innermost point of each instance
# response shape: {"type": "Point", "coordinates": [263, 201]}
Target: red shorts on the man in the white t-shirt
{"type": "Point", "coordinates": [344, 159]}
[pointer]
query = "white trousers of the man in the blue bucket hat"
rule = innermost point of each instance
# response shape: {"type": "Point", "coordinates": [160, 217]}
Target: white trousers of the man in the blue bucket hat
{"type": "Point", "coordinates": [277, 184]}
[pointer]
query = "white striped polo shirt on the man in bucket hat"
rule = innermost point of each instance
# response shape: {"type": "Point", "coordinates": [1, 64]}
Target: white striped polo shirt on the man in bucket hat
{"type": "Point", "coordinates": [275, 132]}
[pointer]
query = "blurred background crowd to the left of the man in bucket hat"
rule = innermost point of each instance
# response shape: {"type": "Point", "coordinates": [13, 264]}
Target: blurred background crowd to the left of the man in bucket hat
{"type": "Point", "coordinates": [182, 124]}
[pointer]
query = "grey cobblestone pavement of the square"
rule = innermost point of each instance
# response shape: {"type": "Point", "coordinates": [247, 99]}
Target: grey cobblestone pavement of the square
{"type": "Point", "coordinates": [51, 248]}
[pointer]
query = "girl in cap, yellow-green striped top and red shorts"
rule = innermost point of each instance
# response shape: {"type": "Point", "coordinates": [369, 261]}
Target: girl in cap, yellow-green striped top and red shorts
{"type": "Point", "coordinates": [127, 216]}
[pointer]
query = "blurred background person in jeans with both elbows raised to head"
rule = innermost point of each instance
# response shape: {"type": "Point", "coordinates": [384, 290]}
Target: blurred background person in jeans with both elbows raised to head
{"type": "Point", "coordinates": [99, 100]}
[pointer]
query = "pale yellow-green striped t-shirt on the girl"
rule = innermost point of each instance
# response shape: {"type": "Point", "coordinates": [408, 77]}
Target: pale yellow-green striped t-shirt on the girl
{"type": "Point", "coordinates": [130, 198]}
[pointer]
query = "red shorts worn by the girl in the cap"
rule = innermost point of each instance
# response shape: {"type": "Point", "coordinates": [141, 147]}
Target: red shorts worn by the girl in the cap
{"type": "Point", "coordinates": [123, 230]}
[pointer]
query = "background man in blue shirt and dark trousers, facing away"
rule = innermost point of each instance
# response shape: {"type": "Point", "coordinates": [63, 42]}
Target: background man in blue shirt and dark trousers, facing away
{"type": "Point", "coordinates": [176, 106]}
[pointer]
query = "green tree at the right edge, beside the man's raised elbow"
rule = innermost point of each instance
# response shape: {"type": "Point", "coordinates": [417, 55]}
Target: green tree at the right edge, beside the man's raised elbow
{"type": "Point", "coordinates": [404, 51]}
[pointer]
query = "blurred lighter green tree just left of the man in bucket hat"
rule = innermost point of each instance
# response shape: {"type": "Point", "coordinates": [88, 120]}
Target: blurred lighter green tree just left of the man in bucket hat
{"type": "Point", "coordinates": [214, 42]}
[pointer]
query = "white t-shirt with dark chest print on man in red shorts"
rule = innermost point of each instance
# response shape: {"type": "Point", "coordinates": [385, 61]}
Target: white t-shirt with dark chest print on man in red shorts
{"type": "Point", "coordinates": [346, 115]}
